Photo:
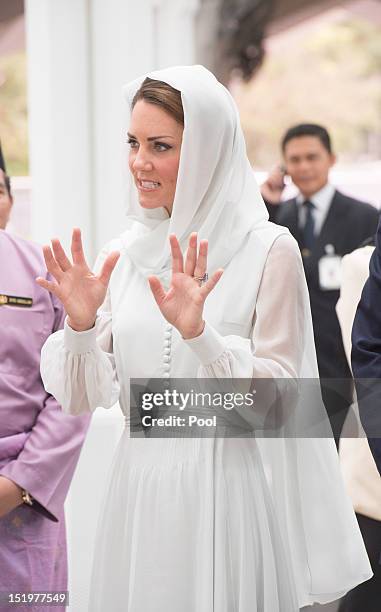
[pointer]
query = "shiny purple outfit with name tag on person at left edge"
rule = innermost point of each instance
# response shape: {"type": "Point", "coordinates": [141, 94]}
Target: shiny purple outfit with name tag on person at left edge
{"type": "Point", "coordinates": [39, 444]}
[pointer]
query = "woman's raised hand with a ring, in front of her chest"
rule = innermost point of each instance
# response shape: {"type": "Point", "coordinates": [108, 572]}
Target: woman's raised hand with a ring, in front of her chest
{"type": "Point", "coordinates": [183, 304]}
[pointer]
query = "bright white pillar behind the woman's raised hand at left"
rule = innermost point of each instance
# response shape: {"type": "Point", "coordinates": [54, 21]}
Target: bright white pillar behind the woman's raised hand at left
{"type": "Point", "coordinates": [59, 119]}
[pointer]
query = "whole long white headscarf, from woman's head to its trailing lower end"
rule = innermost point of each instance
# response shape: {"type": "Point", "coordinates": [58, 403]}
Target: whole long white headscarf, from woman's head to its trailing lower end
{"type": "Point", "coordinates": [217, 196]}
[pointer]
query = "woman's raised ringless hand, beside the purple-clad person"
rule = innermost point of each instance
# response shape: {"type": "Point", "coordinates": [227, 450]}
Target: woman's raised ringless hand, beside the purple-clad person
{"type": "Point", "coordinates": [80, 291]}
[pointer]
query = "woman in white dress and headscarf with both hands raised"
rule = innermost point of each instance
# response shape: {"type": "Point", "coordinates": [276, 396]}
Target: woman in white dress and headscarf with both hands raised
{"type": "Point", "coordinates": [192, 523]}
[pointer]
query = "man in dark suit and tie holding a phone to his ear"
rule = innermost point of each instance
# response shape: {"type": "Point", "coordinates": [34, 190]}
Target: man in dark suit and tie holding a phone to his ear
{"type": "Point", "coordinates": [327, 225]}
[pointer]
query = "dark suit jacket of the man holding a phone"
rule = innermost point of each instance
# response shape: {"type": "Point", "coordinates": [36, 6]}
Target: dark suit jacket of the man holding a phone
{"type": "Point", "coordinates": [347, 224]}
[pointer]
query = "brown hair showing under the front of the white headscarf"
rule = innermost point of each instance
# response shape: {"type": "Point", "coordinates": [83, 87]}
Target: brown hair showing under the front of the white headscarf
{"type": "Point", "coordinates": [163, 95]}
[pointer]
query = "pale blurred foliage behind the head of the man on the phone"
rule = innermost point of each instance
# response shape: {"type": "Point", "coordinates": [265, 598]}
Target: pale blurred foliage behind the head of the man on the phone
{"type": "Point", "coordinates": [330, 76]}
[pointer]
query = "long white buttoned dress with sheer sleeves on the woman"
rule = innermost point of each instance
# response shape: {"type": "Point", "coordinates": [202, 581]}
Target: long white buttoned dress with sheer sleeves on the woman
{"type": "Point", "coordinates": [188, 524]}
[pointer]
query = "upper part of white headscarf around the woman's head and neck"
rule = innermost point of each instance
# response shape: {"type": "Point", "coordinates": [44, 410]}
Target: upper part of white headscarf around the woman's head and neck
{"type": "Point", "coordinates": [216, 191]}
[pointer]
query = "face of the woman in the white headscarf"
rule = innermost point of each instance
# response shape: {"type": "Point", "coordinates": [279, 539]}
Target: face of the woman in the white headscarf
{"type": "Point", "coordinates": [155, 144]}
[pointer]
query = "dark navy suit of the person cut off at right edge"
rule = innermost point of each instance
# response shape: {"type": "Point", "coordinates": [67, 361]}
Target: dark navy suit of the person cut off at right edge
{"type": "Point", "coordinates": [366, 353]}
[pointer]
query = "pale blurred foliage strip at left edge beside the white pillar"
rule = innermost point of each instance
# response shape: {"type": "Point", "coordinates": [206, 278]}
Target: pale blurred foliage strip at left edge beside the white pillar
{"type": "Point", "coordinates": [13, 113]}
